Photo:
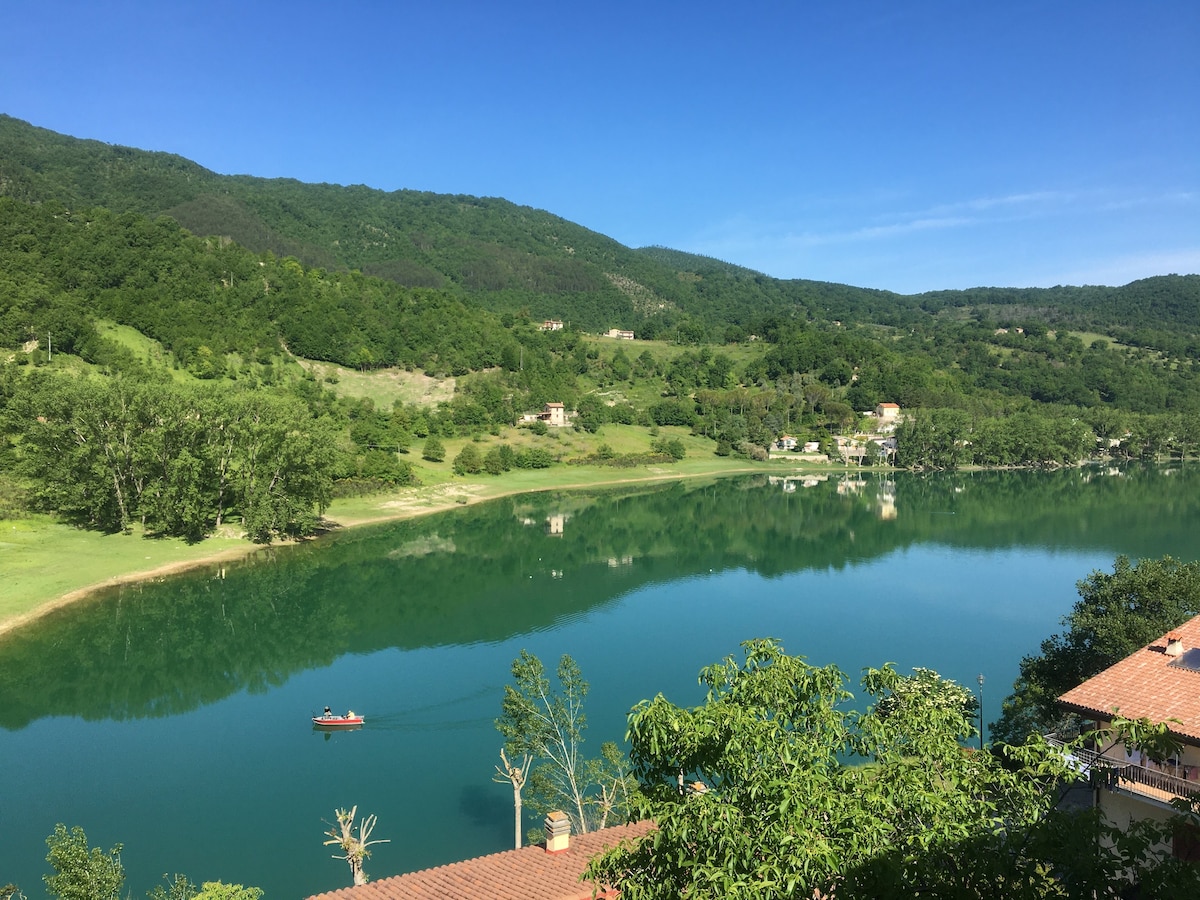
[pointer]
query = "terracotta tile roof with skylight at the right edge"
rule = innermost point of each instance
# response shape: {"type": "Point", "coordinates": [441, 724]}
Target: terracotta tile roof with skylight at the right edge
{"type": "Point", "coordinates": [1144, 685]}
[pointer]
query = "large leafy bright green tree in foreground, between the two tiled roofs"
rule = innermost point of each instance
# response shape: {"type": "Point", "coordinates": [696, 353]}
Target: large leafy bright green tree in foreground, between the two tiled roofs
{"type": "Point", "coordinates": [783, 784]}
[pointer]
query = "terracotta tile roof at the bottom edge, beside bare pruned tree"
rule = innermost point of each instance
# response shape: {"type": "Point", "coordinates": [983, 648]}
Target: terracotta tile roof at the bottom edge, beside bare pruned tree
{"type": "Point", "coordinates": [526, 874]}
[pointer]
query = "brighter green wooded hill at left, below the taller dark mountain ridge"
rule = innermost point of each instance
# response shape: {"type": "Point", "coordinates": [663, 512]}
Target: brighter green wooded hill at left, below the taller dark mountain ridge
{"type": "Point", "coordinates": [207, 298]}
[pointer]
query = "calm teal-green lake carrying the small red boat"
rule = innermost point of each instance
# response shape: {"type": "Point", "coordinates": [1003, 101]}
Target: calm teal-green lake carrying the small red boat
{"type": "Point", "coordinates": [175, 717]}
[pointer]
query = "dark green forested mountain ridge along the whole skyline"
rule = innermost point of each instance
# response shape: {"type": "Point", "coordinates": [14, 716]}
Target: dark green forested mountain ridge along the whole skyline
{"type": "Point", "coordinates": [509, 259]}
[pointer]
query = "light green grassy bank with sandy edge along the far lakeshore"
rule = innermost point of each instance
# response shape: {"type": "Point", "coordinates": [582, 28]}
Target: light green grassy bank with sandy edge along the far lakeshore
{"type": "Point", "coordinates": [49, 566]}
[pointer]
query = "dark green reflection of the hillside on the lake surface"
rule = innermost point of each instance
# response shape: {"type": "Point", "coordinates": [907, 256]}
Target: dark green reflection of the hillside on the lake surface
{"type": "Point", "coordinates": [517, 566]}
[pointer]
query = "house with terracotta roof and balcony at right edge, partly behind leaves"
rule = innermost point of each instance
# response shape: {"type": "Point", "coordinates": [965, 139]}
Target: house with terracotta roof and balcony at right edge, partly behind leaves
{"type": "Point", "coordinates": [1161, 683]}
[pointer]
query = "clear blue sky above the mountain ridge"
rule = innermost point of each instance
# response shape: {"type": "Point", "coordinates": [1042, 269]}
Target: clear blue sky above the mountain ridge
{"type": "Point", "coordinates": [904, 146]}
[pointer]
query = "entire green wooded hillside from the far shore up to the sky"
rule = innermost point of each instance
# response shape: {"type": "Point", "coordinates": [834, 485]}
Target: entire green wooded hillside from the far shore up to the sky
{"type": "Point", "coordinates": [229, 280]}
